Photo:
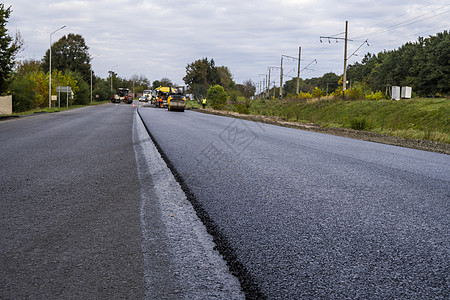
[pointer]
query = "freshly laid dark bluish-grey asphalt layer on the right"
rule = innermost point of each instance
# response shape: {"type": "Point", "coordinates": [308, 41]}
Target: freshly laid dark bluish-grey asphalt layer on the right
{"type": "Point", "coordinates": [308, 215]}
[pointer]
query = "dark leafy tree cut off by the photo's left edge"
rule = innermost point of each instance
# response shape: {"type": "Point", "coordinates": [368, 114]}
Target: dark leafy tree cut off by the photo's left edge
{"type": "Point", "coordinates": [9, 47]}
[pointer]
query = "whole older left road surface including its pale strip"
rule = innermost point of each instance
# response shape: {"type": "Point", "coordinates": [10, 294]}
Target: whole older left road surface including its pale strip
{"type": "Point", "coordinates": [89, 210]}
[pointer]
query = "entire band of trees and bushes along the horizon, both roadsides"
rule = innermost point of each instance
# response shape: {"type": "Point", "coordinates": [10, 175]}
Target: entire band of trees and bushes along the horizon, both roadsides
{"type": "Point", "coordinates": [424, 65]}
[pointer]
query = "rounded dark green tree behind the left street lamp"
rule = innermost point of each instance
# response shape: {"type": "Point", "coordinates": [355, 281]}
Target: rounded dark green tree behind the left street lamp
{"type": "Point", "coordinates": [70, 53]}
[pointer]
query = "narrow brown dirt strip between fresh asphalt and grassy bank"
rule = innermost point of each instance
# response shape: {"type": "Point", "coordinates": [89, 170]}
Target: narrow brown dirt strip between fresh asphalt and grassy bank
{"type": "Point", "coordinates": [356, 134]}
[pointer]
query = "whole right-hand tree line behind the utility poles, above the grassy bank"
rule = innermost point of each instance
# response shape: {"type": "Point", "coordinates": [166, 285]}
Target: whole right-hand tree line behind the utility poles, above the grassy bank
{"type": "Point", "coordinates": [423, 65]}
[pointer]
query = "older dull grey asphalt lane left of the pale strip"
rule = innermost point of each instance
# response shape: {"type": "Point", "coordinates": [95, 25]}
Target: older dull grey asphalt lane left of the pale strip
{"type": "Point", "coordinates": [70, 198]}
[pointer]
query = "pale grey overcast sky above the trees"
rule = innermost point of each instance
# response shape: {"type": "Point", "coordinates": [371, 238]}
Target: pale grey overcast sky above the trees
{"type": "Point", "coordinates": [159, 38]}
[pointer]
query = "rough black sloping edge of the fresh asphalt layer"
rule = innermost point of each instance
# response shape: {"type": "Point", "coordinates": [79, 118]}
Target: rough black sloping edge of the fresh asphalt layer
{"type": "Point", "coordinates": [248, 284]}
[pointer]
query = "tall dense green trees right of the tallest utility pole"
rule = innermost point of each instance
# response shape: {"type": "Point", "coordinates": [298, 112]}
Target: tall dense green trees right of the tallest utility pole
{"type": "Point", "coordinates": [423, 65]}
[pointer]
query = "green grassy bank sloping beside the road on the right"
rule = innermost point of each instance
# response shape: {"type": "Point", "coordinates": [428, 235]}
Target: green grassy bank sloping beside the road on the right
{"type": "Point", "coordinates": [418, 118]}
